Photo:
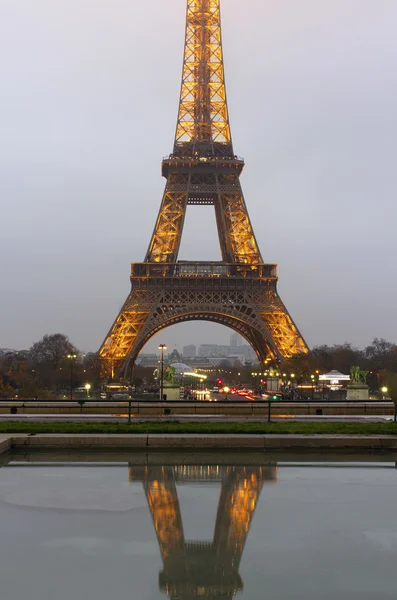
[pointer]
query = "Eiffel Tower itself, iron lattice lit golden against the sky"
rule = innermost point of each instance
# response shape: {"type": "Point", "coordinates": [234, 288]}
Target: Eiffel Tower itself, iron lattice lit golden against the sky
{"type": "Point", "coordinates": [240, 291]}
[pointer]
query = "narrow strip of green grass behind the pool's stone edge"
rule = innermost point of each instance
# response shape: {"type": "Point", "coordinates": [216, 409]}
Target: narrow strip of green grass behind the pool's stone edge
{"type": "Point", "coordinates": [295, 428]}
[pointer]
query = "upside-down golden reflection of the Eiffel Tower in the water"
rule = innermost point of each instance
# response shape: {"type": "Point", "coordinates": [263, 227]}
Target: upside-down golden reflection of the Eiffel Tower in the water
{"type": "Point", "coordinates": [202, 569]}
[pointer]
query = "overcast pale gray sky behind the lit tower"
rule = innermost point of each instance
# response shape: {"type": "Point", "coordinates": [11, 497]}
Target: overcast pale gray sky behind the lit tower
{"type": "Point", "coordinates": [88, 108]}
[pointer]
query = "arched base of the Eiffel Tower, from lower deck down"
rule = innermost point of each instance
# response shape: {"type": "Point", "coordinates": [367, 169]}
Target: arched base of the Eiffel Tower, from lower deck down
{"type": "Point", "coordinates": [241, 297]}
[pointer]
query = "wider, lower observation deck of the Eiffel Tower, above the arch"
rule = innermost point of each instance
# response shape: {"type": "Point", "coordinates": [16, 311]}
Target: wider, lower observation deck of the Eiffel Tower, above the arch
{"type": "Point", "coordinates": [205, 270]}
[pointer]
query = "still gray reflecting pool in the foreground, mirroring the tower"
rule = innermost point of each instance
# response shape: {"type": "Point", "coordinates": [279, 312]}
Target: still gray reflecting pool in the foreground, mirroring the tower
{"type": "Point", "coordinates": [197, 526]}
